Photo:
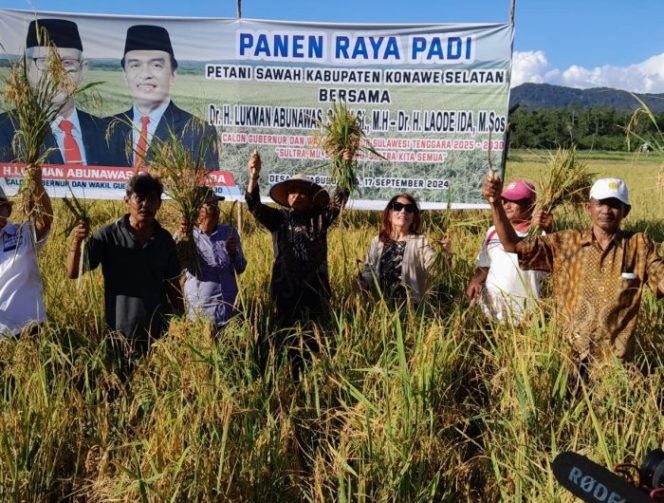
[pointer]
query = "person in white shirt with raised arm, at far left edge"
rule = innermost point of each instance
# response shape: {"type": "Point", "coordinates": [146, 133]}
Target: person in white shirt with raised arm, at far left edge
{"type": "Point", "coordinates": [21, 299]}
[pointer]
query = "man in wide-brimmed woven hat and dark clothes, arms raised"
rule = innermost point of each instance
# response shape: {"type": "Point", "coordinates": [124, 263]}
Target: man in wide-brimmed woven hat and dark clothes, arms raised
{"type": "Point", "coordinates": [300, 283]}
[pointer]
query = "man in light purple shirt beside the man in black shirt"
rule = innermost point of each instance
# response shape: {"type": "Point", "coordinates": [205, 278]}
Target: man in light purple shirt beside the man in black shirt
{"type": "Point", "coordinates": [211, 291]}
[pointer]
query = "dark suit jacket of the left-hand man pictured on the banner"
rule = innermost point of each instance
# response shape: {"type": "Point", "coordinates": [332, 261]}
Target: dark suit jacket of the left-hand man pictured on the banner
{"type": "Point", "coordinates": [93, 130]}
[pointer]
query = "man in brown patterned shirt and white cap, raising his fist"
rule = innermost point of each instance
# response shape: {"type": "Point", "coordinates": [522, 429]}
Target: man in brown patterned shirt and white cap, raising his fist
{"type": "Point", "coordinates": [598, 274]}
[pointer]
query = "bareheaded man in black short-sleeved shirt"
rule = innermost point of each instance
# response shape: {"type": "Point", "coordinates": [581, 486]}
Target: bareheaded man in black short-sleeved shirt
{"type": "Point", "coordinates": [139, 264]}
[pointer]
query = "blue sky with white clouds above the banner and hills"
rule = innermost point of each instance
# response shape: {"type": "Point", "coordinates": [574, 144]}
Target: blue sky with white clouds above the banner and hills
{"type": "Point", "coordinates": [578, 43]}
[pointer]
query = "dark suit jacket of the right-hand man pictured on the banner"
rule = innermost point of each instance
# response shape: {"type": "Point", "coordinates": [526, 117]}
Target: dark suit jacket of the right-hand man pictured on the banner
{"type": "Point", "coordinates": [199, 138]}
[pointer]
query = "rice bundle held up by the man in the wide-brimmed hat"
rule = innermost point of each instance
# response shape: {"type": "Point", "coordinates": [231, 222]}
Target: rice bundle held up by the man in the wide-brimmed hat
{"type": "Point", "coordinates": [342, 138]}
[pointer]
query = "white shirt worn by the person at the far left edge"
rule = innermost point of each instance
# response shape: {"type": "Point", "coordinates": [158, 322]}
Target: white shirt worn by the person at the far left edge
{"type": "Point", "coordinates": [21, 299]}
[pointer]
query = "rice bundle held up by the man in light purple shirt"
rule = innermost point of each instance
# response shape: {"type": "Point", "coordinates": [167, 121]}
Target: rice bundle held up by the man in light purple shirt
{"type": "Point", "coordinates": [183, 175]}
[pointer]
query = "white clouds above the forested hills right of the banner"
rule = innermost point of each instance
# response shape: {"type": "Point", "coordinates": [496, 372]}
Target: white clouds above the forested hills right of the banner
{"type": "Point", "coordinates": [644, 77]}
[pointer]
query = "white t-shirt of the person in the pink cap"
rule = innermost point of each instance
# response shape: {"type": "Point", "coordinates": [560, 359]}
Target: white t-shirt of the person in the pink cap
{"type": "Point", "coordinates": [509, 291]}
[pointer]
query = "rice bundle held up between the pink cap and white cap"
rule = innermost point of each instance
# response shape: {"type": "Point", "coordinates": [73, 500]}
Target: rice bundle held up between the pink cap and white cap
{"type": "Point", "coordinates": [567, 181]}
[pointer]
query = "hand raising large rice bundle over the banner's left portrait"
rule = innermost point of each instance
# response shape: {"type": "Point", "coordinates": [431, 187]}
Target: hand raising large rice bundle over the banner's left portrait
{"type": "Point", "coordinates": [35, 105]}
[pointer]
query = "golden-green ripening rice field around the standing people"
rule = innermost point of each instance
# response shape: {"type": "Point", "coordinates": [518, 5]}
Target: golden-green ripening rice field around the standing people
{"type": "Point", "coordinates": [430, 405]}
